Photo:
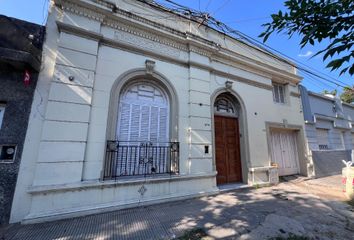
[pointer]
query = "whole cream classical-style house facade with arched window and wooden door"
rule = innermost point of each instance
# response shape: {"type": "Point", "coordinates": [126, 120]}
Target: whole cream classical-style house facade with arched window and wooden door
{"type": "Point", "coordinates": [141, 105]}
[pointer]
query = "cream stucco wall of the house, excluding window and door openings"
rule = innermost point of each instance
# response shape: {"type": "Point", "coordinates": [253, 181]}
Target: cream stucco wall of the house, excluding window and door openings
{"type": "Point", "coordinates": [69, 142]}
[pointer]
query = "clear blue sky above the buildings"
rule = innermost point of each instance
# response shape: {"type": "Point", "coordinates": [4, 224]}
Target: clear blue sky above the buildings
{"type": "Point", "coordinates": [246, 16]}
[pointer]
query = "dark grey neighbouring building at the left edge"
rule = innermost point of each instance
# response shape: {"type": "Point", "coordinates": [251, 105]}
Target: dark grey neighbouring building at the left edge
{"type": "Point", "coordinates": [20, 54]}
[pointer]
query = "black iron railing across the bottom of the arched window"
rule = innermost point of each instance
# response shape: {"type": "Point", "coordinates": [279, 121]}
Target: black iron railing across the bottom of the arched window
{"type": "Point", "coordinates": [140, 159]}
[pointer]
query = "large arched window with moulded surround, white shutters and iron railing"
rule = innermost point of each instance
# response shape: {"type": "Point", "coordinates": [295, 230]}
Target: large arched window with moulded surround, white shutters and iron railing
{"type": "Point", "coordinates": [142, 130]}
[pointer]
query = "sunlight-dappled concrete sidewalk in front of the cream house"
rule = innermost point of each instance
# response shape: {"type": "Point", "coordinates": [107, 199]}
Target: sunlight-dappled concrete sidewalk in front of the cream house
{"type": "Point", "coordinates": [242, 214]}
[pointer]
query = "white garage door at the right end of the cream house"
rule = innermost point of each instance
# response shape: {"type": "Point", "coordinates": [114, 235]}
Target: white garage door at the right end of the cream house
{"type": "Point", "coordinates": [284, 151]}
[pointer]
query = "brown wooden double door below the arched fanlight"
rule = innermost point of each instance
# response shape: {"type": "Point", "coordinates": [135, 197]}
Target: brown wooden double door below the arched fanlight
{"type": "Point", "coordinates": [227, 150]}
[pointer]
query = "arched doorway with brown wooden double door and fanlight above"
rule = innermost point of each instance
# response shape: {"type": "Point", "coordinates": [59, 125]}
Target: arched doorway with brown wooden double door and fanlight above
{"type": "Point", "coordinates": [227, 139]}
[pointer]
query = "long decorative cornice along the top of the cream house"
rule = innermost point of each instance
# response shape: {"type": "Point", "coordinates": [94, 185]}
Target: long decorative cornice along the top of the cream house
{"type": "Point", "coordinates": [128, 22]}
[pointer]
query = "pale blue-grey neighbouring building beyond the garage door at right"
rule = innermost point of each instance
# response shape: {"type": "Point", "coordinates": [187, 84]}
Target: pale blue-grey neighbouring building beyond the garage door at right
{"type": "Point", "coordinates": [329, 132]}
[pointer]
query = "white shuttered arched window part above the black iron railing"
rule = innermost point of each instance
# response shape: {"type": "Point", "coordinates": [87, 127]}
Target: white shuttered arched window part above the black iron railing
{"type": "Point", "coordinates": [143, 114]}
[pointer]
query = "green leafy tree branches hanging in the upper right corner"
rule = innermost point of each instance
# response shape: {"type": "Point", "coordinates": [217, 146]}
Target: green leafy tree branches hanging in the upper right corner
{"type": "Point", "coordinates": [315, 21]}
